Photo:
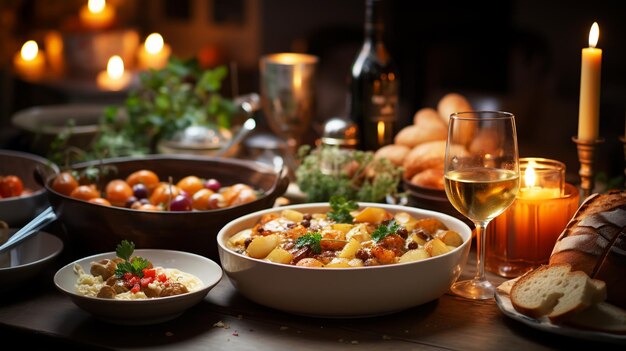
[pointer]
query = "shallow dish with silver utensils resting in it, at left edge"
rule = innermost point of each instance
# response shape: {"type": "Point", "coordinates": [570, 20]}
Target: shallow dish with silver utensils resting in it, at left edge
{"type": "Point", "coordinates": [27, 259]}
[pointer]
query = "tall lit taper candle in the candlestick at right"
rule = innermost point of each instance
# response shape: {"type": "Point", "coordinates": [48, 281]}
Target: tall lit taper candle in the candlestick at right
{"type": "Point", "coordinates": [589, 108]}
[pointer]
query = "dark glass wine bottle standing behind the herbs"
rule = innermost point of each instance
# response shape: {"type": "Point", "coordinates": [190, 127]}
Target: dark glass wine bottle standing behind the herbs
{"type": "Point", "coordinates": [374, 84]}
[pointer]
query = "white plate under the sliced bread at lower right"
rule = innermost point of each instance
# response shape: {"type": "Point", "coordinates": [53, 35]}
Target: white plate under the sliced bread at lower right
{"type": "Point", "coordinates": [504, 303]}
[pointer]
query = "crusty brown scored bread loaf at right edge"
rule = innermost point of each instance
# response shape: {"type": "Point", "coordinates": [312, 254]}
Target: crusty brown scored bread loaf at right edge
{"type": "Point", "coordinates": [594, 242]}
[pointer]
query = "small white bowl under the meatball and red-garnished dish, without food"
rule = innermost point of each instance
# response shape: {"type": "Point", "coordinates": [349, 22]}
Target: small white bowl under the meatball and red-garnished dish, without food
{"type": "Point", "coordinates": [149, 311]}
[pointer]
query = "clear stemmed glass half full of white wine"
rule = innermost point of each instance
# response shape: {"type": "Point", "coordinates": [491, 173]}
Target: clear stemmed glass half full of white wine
{"type": "Point", "coordinates": [481, 179]}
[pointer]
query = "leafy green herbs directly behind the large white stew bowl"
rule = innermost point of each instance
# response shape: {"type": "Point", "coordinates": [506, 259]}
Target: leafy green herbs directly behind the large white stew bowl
{"type": "Point", "coordinates": [354, 174]}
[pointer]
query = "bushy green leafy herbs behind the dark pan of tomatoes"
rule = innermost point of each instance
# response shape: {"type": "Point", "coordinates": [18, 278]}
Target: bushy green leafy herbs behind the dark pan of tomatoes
{"type": "Point", "coordinates": [166, 101]}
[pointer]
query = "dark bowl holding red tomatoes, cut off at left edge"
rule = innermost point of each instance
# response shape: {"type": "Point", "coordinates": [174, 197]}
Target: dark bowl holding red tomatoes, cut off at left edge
{"type": "Point", "coordinates": [19, 210]}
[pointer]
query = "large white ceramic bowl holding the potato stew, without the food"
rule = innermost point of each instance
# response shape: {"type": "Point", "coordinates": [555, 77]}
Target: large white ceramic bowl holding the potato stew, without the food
{"type": "Point", "coordinates": [342, 292]}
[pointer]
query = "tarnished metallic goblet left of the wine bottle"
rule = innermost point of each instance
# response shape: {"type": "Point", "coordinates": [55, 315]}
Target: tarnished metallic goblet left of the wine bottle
{"type": "Point", "coordinates": [288, 97]}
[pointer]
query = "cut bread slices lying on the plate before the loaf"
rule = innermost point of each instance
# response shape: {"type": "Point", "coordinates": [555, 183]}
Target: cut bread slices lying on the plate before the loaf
{"type": "Point", "coordinates": [556, 292]}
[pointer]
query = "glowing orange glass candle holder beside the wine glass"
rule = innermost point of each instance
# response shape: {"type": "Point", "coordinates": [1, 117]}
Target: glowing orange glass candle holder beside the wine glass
{"type": "Point", "coordinates": [523, 236]}
